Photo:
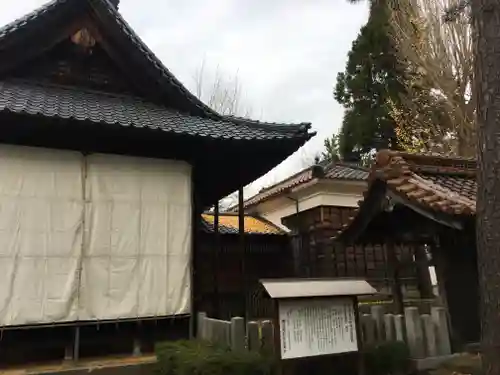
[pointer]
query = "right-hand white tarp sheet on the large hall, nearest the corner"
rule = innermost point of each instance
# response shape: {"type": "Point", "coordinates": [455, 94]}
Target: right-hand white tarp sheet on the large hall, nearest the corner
{"type": "Point", "coordinates": [137, 238]}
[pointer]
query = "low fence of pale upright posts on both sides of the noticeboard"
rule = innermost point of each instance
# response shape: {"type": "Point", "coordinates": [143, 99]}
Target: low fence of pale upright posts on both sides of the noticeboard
{"type": "Point", "coordinates": [427, 335]}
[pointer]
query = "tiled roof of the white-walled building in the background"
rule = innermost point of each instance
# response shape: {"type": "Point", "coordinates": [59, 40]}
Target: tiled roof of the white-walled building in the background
{"type": "Point", "coordinates": [332, 171]}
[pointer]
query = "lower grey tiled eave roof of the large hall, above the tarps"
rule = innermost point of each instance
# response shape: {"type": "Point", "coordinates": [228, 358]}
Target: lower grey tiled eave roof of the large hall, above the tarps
{"type": "Point", "coordinates": [69, 103]}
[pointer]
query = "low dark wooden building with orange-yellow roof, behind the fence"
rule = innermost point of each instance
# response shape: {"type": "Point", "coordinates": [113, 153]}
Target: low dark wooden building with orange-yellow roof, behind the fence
{"type": "Point", "coordinates": [223, 291]}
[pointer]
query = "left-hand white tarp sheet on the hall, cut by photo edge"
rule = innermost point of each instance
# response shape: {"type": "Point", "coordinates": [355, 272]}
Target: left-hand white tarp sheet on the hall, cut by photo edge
{"type": "Point", "coordinates": [41, 211]}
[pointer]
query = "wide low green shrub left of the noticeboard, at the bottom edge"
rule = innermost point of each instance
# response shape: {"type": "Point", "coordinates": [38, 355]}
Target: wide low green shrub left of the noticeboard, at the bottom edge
{"type": "Point", "coordinates": [203, 358]}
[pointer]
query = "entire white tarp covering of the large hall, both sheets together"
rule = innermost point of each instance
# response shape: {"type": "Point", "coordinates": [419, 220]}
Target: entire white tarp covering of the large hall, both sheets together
{"type": "Point", "coordinates": [122, 254]}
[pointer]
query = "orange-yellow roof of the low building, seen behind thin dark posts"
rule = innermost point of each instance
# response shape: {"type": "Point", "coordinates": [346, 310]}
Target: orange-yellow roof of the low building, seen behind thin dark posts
{"type": "Point", "coordinates": [229, 224]}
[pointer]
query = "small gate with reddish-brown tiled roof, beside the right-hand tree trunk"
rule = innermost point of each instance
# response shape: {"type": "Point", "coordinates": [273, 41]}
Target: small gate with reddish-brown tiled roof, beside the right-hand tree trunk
{"type": "Point", "coordinates": [427, 200]}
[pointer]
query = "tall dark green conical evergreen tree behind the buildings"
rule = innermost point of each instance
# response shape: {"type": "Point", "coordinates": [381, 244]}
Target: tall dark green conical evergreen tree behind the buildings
{"type": "Point", "coordinates": [371, 80]}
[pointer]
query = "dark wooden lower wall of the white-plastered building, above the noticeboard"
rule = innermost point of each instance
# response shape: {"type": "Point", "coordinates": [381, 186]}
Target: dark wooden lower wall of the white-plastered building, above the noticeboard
{"type": "Point", "coordinates": [317, 255]}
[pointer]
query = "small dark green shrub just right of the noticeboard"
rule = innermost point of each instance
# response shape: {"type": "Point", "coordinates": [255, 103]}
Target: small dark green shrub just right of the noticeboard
{"type": "Point", "coordinates": [387, 358]}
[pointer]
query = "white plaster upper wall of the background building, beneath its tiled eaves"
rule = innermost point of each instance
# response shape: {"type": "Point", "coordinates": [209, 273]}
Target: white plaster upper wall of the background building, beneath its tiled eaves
{"type": "Point", "coordinates": [322, 193]}
